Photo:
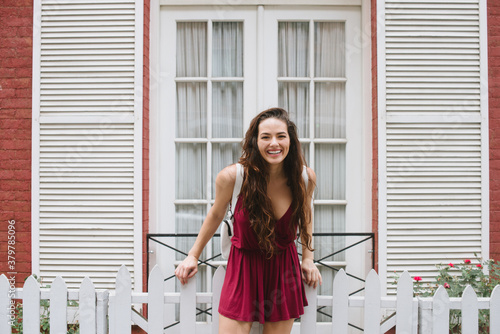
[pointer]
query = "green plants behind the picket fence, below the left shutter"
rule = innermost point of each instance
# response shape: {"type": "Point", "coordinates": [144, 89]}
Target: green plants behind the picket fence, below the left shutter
{"type": "Point", "coordinates": [17, 322]}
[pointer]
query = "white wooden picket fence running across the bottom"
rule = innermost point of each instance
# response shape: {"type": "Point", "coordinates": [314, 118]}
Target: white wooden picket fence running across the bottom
{"type": "Point", "coordinates": [110, 311]}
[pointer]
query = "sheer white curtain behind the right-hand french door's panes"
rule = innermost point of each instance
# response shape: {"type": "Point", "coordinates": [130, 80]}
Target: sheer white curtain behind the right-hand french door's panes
{"type": "Point", "coordinates": [329, 119]}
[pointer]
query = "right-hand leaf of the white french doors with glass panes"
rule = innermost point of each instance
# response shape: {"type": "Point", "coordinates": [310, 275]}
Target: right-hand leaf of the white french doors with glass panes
{"type": "Point", "coordinates": [312, 70]}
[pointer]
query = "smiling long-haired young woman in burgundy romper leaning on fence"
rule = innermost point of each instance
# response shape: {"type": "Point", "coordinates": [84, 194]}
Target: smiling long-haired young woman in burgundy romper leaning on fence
{"type": "Point", "coordinates": [264, 278]}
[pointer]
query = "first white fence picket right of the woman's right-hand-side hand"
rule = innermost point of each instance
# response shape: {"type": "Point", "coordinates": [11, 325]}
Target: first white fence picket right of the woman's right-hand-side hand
{"type": "Point", "coordinates": [340, 309]}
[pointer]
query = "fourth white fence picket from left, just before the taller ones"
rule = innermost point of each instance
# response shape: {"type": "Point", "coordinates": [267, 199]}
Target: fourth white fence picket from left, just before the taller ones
{"type": "Point", "coordinates": [87, 307]}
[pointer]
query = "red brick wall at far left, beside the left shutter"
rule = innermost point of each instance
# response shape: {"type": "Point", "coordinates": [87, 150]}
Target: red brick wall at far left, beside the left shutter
{"type": "Point", "coordinates": [16, 35]}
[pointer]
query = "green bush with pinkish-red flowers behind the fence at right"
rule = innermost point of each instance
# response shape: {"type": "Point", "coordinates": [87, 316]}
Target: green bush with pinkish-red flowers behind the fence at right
{"type": "Point", "coordinates": [455, 277]}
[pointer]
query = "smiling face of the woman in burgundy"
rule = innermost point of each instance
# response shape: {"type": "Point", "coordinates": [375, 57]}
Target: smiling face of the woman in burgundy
{"type": "Point", "coordinates": [273, 140]}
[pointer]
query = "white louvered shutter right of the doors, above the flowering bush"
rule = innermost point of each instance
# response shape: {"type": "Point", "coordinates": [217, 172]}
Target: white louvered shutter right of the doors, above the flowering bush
{"type": "Point", "coordinates": [433, 167]}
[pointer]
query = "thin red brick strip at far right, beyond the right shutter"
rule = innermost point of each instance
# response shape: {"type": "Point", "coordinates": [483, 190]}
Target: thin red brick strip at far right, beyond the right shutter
{"type": "Point", "coordinates": [494, 124]}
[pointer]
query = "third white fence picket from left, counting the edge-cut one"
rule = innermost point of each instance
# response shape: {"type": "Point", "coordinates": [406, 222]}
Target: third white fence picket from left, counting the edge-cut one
{"type": "Point", "coordinates": [58, 306]}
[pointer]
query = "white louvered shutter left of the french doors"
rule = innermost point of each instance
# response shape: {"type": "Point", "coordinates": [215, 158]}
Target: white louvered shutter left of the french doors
{"type": "Point", "coordinates": [87, 140]}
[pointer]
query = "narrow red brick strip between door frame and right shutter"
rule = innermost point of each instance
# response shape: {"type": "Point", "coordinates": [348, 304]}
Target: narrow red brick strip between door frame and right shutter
{"type": "Point", "coordinates": [374, 132]}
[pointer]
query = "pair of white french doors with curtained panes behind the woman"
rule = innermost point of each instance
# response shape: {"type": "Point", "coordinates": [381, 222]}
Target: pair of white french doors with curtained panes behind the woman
{"type": "Point", "coordinates": [219, 67]}
